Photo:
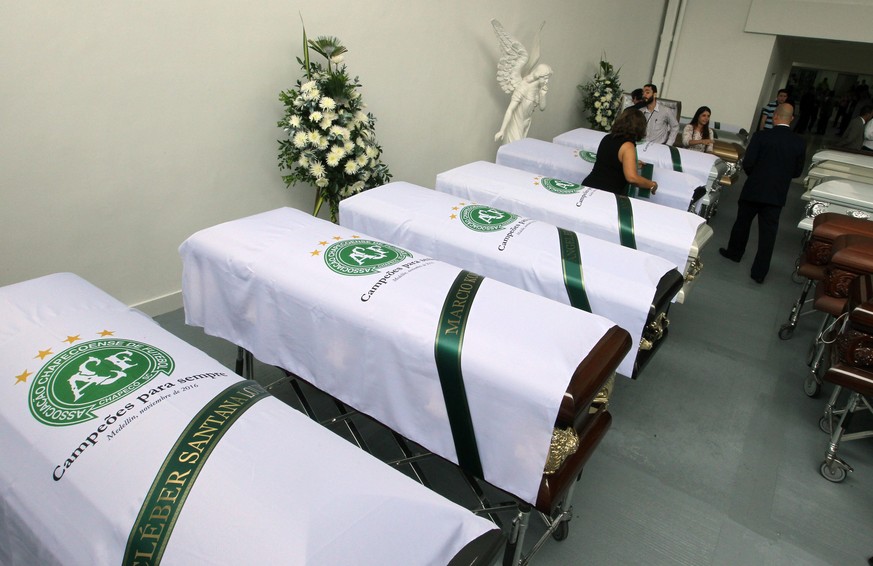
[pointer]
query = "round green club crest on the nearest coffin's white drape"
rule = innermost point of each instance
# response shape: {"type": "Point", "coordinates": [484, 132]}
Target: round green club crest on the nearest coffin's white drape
{"type": "Point", "coordinates": [83, 378]}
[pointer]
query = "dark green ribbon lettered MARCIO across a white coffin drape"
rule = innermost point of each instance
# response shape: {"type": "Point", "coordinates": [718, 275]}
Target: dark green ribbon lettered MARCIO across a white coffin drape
{"type": "Point", "coordinates": [447, 351]}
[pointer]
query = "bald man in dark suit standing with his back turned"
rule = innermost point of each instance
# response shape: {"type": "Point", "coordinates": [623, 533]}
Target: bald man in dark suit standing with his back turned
{"type": "Point", "coordinates": [772, 159]}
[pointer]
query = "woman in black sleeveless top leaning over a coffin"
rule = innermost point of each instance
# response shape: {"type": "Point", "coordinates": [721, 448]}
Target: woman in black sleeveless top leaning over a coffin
{"type": "Point", "coordinates": [616, 164]}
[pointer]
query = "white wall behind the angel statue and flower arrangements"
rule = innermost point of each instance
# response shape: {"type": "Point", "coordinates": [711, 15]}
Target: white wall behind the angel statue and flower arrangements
{"type": "Point", "coordinates": [127, 125]}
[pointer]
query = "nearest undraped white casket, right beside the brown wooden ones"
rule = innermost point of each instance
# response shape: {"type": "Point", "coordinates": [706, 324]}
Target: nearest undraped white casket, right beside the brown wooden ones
{"type": "Point", "coordinates": [837, 195]}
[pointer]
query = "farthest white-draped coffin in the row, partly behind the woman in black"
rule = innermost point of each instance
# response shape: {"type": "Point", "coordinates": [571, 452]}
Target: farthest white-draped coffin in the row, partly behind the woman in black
{"type": "Point", "coordinates": [706, 167]}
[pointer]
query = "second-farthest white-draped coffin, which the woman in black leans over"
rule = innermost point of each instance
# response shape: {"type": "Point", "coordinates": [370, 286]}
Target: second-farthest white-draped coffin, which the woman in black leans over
{"type": "Point", "coordinates": [675, 189]}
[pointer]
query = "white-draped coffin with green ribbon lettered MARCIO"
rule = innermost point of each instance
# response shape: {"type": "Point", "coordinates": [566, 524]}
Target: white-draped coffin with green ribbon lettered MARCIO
{"type": "Point", "coordinates": [472, 369]}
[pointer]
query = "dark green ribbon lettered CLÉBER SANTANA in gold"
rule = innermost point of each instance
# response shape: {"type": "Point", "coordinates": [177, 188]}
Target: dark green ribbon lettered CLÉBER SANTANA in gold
{"type": "Point", "coordinates": [151, 531]}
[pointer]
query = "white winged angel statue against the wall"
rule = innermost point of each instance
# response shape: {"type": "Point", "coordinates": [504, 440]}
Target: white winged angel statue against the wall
{"type": "Point", "coordinates": [528, 88]}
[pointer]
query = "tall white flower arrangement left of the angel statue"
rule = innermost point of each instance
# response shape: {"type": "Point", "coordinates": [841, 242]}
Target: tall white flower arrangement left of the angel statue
{"type": "Point", "coordinates": [331, 141]}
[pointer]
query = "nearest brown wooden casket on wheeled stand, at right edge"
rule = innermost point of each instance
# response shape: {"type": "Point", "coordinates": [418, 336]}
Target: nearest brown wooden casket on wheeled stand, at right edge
{"type": "Point", "coordinates": [852, 372]}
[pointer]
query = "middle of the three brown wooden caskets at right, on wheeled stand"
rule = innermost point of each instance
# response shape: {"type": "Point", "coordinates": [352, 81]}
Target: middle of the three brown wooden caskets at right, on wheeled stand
{"type": "Point", "coordinates": [851, 256]}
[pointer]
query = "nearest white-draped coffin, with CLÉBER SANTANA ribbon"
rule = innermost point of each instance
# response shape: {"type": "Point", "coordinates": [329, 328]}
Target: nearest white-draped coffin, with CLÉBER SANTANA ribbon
{"type": "Point", "coordinates": [121, 444]}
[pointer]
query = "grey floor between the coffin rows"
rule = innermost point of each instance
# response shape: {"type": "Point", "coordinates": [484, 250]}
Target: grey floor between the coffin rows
{"type": "Point", "coordinates": [714, 452]}
